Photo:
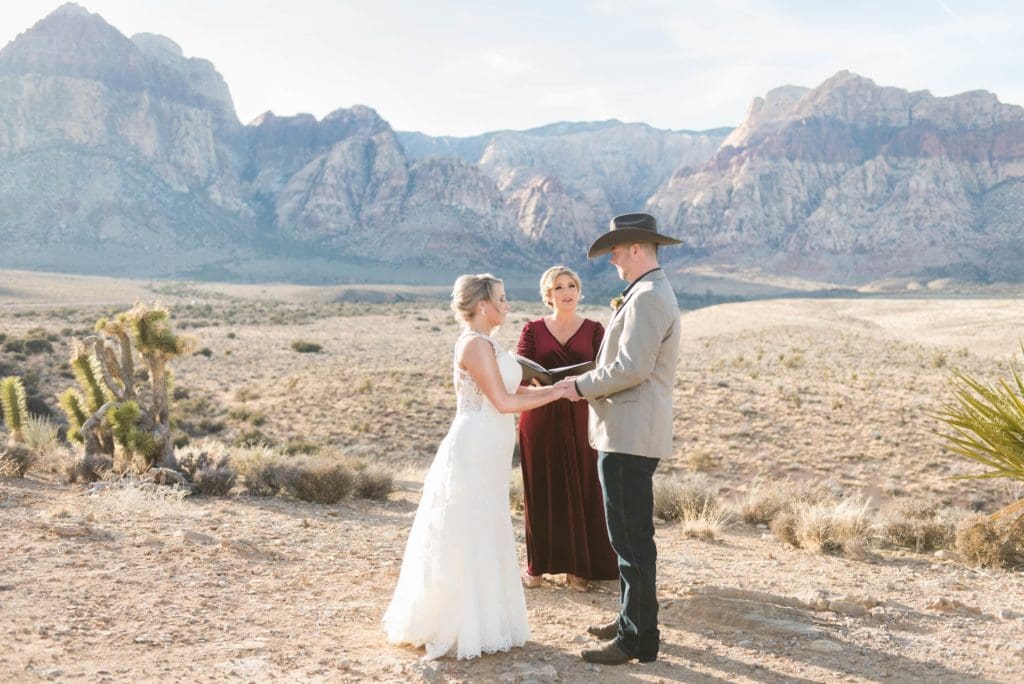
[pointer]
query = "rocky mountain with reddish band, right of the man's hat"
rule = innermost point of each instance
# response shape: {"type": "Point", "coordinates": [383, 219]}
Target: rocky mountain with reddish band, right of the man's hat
{"type": "Point", "coordinates": [854, 182]}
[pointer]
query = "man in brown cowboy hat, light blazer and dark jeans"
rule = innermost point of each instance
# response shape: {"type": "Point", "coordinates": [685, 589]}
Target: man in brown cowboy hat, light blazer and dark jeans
{"type": "Point", "coordinates": [630, 396]}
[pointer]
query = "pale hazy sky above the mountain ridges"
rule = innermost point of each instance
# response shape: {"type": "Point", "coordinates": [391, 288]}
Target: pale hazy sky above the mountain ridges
{"type": "Point", "coordinates": [454, 68]}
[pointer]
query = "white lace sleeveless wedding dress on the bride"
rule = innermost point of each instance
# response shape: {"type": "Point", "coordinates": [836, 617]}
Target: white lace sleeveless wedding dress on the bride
{"type": "Point", "coordinates": [459, 591]}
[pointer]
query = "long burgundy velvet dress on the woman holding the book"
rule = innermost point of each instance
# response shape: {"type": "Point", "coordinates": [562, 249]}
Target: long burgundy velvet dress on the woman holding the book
{"type": "Point", "coordinates": [565, 508]}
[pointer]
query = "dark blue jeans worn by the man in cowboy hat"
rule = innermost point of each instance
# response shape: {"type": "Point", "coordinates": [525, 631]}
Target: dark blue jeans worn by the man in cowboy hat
{"type": "Point", "coordinates": [627, 483]}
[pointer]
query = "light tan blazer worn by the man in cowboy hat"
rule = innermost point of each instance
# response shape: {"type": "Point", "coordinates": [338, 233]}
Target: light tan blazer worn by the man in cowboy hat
{"type": "Point", "coordinates": [630, 392]}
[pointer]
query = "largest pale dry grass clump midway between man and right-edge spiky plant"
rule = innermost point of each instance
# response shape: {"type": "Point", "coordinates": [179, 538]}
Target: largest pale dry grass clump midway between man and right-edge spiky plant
{"type": "Point", "coordinates": [827, 527]}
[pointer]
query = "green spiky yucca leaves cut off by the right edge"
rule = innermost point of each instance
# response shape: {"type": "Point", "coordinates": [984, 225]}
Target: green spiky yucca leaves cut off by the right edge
{"type": "Point", "coordinates": [987, 420]}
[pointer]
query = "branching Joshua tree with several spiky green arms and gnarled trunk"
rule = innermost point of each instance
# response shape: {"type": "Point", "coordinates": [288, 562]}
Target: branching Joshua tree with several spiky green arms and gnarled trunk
{"type": "Point", "coordinates": [111, 409]}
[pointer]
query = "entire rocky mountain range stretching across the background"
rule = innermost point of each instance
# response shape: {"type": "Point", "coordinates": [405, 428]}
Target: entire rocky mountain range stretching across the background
{"type": "Point", "coordinates": [122, 156]}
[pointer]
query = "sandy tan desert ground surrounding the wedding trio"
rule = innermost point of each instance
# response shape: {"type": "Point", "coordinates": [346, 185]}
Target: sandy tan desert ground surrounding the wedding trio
{"type": "Point", "coordinates": [125, 581]}
